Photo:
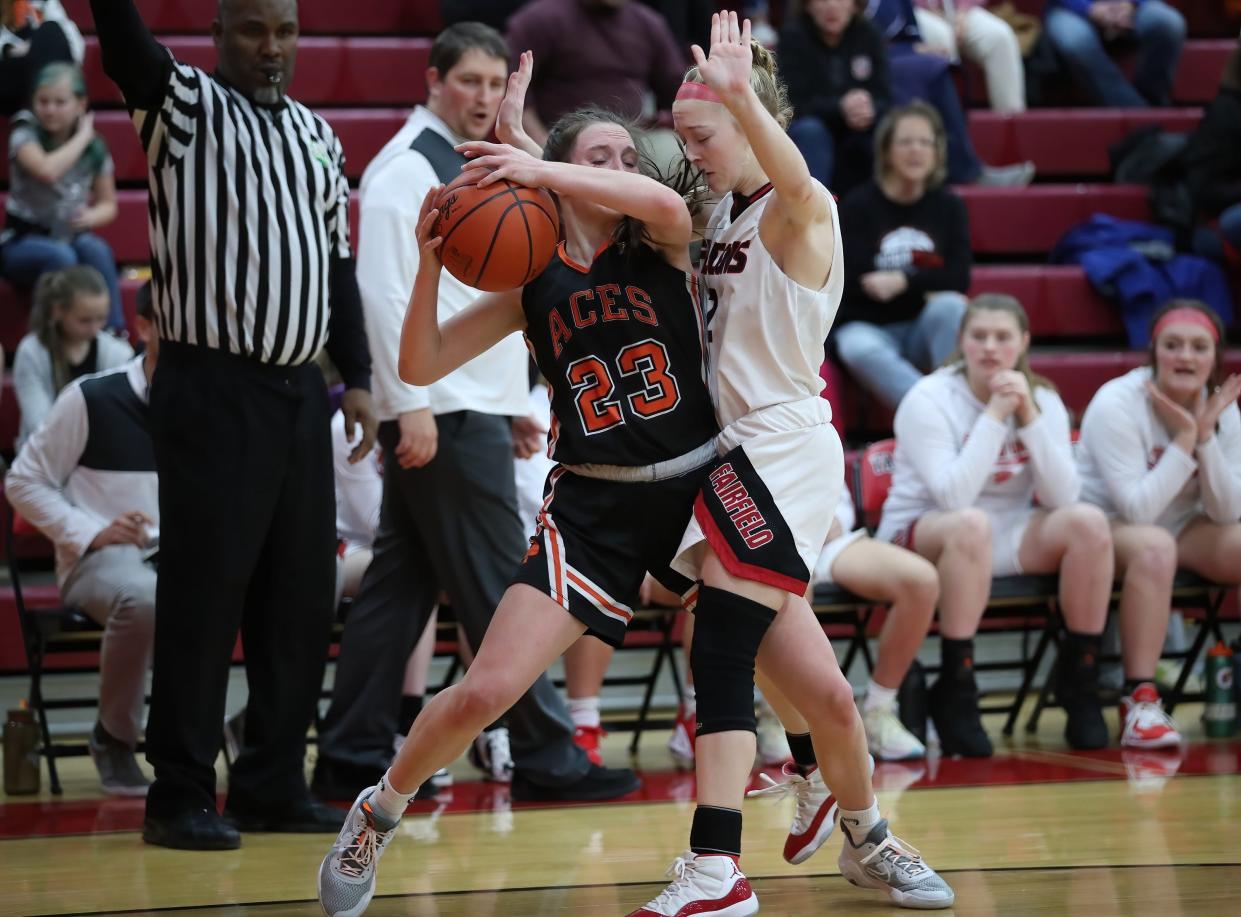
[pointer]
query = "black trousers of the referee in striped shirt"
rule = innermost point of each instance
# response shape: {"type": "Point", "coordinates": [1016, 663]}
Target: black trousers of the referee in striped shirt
{"type": "Point", "coordinates": [248, 540]}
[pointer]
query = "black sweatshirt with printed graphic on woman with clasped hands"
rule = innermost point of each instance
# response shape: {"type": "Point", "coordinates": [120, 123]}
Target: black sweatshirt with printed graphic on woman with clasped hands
{"type": "Point", "coordinates": [928, 240]}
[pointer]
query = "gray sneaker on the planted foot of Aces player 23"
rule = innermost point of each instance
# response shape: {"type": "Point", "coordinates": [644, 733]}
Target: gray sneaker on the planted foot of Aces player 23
{"type": "Point", "coordinates": [347, 875]}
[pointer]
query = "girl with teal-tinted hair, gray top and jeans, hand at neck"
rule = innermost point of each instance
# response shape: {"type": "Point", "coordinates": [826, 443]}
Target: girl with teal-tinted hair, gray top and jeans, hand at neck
{"type": "Point", "coordinates": [61, 188]}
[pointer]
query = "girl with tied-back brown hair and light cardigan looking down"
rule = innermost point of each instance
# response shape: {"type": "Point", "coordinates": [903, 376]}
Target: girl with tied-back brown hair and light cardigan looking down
{"type": "Point", "coordinates": [66, 342]}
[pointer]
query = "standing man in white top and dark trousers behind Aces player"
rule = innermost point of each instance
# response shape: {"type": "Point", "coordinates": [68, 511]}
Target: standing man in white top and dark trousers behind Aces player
{"type": "Point", "coordinates": [450, 516]}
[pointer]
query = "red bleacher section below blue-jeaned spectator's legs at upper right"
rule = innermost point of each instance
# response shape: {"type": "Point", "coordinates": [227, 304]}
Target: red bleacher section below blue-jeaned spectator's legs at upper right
{"type": "Point", "coordinates": [1067, 141]}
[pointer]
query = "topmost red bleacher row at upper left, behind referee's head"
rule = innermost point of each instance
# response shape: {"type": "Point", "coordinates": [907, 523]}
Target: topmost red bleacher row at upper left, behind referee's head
{"type": "Point", "coordinates": [315, 17]}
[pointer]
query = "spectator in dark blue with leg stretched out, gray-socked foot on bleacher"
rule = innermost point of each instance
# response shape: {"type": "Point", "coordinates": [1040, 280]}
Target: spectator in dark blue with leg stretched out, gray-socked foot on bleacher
{"type": "Point", "coordinates": [919, 75]}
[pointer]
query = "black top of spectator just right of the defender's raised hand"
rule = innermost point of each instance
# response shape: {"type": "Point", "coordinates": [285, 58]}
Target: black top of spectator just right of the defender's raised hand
{"type": "Point", "coordinates": [818, 75]}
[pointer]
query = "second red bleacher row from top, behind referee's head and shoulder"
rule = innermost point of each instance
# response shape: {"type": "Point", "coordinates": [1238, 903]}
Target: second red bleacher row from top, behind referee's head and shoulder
{"type": "Point", "coordinates": [329, 71]}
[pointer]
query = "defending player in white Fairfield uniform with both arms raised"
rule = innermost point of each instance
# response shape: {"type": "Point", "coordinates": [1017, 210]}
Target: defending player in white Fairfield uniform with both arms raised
{"type": "Point", "coordinates": [773, 272]}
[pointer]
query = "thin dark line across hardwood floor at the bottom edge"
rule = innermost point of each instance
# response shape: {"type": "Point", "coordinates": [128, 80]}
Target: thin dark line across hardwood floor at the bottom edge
{"type": "Point", "coordinates": [503, 890]}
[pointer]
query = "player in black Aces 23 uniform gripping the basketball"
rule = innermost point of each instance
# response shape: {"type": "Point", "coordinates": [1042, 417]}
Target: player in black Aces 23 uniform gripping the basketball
{"type": "Point", "coordinates": [616, 328]}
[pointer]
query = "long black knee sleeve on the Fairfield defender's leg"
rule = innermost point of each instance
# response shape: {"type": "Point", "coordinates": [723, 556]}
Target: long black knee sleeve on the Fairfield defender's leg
{"type": "Point", "coordinates": [728, 630]}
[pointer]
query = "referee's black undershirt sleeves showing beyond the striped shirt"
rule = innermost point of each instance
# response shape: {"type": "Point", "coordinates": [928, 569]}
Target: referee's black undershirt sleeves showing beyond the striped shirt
{"type": "Point", "coordinates": [142, 69]}
